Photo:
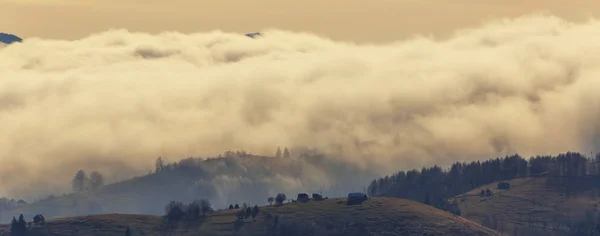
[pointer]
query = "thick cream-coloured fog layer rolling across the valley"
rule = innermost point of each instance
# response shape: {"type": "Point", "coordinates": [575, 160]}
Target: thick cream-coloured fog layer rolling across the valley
{"type": "Point", "coordinates": [116, 100]}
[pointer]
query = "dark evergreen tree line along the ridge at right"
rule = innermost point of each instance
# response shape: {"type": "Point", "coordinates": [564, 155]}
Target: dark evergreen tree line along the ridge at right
{"type": "Point", "coordinates": [570, 173]}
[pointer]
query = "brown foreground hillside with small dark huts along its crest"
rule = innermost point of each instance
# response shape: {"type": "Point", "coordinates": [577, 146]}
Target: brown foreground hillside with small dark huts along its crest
{"type": "Point", "coordinates": [376, 216]}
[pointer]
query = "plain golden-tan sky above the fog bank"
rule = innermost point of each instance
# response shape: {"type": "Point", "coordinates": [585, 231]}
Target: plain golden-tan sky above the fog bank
{"type": "Point", "coordinates": [349, 20]}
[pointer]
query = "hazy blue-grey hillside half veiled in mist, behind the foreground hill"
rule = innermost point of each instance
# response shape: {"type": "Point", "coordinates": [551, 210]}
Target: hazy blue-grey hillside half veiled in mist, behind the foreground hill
{"type": "Point", "coordinates": [223, 181]}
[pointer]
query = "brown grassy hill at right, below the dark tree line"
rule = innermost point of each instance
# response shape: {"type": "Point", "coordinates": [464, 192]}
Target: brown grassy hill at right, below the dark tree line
{"type": "Point", "coordinates": [529, 207]}
